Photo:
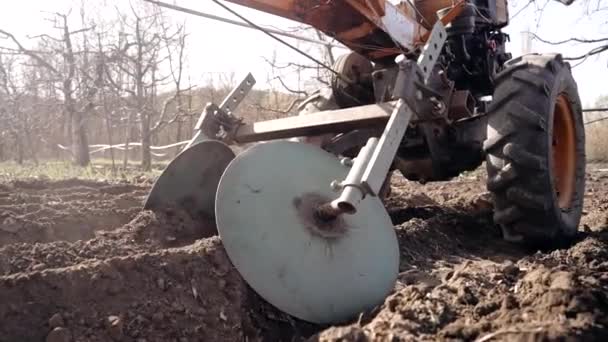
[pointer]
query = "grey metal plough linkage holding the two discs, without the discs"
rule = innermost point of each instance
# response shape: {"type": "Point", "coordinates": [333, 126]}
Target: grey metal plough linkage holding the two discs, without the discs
{"type": "Point", "coordinates": [374, 160]}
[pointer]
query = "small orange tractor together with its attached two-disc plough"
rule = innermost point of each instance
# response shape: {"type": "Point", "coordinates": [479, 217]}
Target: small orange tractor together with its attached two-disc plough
{"type": "Point", "coordinates": [428, 90]}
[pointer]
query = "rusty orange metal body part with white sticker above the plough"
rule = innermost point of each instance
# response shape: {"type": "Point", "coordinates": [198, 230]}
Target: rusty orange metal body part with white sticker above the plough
{"type": "Point", "coordinates": [376, 29]}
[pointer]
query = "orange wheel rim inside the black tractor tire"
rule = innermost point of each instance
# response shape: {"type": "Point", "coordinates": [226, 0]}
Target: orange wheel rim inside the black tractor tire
{"type": "Point", "coordinates": [564, 152]}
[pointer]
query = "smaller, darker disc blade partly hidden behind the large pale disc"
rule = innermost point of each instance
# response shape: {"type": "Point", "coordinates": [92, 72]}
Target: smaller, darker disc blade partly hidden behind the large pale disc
{"type": "Point", "coordinates": [190, 181]}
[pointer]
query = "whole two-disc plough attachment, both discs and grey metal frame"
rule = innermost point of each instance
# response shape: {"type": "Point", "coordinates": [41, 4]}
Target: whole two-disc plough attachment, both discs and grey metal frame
{"type": "Point", "coordinates": [288, 229]}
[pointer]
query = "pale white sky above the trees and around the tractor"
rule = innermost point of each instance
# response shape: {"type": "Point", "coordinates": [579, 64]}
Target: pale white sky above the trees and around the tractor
{"type": "Point", "coordinates": [217, 47]}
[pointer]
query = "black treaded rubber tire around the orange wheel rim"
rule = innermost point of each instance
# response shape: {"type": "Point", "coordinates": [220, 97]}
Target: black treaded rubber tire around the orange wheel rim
{"type": "Point", "coordinates": [519, 154]}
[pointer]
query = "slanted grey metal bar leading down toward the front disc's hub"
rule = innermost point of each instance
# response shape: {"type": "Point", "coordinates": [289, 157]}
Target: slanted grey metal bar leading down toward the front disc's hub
{"type": "Point", "coordinates": [387, 147]}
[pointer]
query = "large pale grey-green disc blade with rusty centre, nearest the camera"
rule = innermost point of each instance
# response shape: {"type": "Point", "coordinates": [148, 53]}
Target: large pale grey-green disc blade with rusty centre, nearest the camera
{"type": "Point", "coordinates": [318, 271]}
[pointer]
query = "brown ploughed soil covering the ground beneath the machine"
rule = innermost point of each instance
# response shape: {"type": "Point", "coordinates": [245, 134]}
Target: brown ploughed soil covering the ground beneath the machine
{"type": "Point", "coordinates": [80, 261]}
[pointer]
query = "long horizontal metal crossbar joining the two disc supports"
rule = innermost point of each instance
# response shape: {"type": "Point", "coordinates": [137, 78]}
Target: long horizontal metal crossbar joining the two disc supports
{"type": "Point", "coordinates": [332, 121]}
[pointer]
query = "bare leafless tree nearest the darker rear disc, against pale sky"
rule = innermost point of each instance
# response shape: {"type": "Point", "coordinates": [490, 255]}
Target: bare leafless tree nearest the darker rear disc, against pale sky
{"type": "Point", "coordinates": [148, 45]}
